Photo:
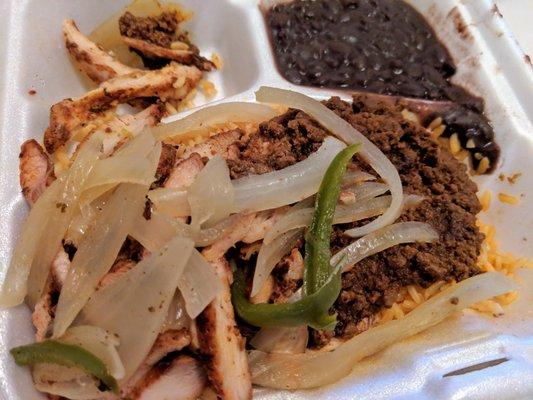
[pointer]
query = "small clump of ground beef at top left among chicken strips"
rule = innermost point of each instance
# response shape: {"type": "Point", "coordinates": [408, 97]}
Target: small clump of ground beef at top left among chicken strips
{"type": "Point", "coordinates": [159, 30]}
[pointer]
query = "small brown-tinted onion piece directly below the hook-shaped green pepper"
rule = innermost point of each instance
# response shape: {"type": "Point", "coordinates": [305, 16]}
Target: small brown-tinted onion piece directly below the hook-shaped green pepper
{"type": "Point", "coordinates": [291, 340]}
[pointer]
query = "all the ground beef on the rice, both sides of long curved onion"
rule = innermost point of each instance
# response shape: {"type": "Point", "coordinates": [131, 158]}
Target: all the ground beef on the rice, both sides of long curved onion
{"type": "Point", "coordinates": [425, 168]}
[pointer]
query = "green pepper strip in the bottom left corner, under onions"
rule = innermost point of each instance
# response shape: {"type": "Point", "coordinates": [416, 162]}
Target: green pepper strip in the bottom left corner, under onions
{"type": "Point", "coordinates": [54, 352]}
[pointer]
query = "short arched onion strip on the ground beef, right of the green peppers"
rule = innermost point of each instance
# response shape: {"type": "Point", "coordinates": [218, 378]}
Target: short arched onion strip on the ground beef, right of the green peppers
{"type": "Point", "coordinates": [384, 238]}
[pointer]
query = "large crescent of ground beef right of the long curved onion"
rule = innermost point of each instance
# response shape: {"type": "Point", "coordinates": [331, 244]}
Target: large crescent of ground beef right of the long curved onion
{"type": "Point", "coordinates": [450, 206]}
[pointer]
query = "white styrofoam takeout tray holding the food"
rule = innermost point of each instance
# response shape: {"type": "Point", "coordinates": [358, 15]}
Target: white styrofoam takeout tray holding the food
{"type": "Point", "coordinates": [490, 63]}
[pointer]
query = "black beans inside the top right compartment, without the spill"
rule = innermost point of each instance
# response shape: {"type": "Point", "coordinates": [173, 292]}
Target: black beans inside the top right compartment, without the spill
{"type": "Point", "coordinates": [386, 39]}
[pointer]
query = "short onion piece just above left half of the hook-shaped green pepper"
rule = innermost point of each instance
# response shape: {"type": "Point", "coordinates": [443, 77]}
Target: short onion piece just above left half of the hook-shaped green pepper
{"type": "Point", "coordinates": [270, 254]}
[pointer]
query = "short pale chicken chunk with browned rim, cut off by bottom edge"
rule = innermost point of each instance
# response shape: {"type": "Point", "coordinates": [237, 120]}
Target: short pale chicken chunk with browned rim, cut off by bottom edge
{"type": "Point", "coordinates": [181, 379]}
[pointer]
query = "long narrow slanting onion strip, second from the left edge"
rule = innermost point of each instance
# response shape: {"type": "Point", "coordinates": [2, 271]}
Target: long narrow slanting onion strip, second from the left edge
{"type": "Point", "coordinates": [59, 218]}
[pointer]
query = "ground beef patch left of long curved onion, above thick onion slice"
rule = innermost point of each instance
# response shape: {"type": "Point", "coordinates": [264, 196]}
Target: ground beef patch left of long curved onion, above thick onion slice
{"type": "Point", "coordinates": [279, 142]}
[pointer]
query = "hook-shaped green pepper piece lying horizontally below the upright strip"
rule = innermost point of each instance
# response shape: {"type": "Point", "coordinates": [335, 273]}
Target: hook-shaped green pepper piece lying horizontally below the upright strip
{"type": "Point", "coordinates": [310, 310]}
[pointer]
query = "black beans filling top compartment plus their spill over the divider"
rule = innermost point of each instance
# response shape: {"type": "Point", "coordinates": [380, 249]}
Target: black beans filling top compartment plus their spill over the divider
{"type": "Point", "coordinates": [378, 46]}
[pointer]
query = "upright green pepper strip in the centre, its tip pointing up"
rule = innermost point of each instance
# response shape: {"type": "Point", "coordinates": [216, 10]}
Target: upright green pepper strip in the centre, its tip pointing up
{"type": "Point", "coordinates": [317, 240]}
